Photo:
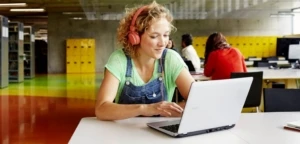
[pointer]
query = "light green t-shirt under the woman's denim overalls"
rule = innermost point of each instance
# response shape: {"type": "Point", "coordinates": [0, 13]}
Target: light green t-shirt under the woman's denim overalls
{"type": "Point", "coordinates": [117, 64]}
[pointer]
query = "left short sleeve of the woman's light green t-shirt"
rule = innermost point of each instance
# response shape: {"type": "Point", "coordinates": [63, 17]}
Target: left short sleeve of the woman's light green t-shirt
{"type": "Point", "coordinates": [116, 64]}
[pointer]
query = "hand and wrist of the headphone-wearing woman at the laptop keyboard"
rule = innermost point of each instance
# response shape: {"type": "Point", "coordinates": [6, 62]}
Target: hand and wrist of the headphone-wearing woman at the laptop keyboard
{"type": "Point", "coordinates": [167, 109]}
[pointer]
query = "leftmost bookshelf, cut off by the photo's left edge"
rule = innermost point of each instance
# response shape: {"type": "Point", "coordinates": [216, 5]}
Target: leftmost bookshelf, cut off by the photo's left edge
{"type": "Point", "coordinates": [3, 52]}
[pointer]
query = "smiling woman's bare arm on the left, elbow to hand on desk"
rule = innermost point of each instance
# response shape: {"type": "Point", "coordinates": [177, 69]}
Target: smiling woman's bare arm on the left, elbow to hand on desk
{"type": "Point", "coordinates": [105, 109]}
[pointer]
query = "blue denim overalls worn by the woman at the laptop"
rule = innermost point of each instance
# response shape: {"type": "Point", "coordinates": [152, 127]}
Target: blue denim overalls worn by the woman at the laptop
{"type": "Point", "coordinates": [152, 92]}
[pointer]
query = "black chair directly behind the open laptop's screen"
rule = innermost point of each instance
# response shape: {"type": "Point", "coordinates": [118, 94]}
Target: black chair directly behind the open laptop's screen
{"type": "Point", "coordinates": [254, 96]}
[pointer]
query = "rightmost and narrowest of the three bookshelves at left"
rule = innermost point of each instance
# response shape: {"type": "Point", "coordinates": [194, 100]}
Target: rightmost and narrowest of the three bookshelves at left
{"type": "Point", "coordinates": [29, 62]}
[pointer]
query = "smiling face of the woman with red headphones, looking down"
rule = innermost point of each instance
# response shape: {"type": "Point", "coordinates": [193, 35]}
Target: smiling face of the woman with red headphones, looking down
{"type": "Point", "coordinates": [155, 39]}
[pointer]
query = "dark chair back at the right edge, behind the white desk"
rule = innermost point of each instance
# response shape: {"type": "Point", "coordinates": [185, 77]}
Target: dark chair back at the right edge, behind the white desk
{"type": "Point", "coordinates": [281, 100]}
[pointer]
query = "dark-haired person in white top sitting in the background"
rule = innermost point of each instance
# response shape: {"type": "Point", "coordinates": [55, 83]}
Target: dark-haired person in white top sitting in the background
{"type": "Point", "coordinates": [189, 52]}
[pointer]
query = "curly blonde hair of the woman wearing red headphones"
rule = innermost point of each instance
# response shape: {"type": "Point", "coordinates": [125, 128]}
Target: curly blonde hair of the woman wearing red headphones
{"type": "Point", "coordinates": [145, 18]}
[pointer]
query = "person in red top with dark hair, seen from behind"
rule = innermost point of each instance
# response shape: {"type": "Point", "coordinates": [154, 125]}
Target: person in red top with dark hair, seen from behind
{"type": "Point", "coordinates": [221, 59]}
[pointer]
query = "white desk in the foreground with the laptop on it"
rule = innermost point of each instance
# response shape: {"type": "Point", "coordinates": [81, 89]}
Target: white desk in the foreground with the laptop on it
{"type": "Point", "coordinates": [252, 128]}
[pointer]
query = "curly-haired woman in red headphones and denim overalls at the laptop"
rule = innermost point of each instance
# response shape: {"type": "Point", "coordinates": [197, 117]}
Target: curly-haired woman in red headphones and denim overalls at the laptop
{"type": "Point", "coordinates": [141, 77]}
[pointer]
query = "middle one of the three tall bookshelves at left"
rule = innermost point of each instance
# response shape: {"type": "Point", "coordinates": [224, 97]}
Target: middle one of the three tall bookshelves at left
{"type": "Point", "coordinates": [16, 54]}
